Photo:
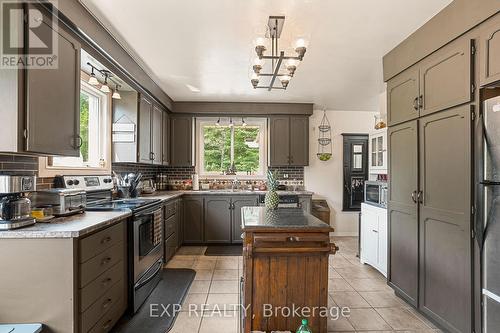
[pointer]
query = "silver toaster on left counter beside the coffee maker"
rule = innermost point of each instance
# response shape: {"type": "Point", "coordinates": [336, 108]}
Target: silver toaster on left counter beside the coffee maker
{"type": "Point", "coordinates": [64, 202]}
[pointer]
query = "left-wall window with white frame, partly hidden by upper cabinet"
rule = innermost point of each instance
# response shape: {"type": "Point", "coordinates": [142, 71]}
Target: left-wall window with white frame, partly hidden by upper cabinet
{"type": "Point", "coordinates": [94, 131]}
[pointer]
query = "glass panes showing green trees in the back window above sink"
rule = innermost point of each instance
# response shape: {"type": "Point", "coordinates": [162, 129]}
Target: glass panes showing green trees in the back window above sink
{"type": "Point", "coordinates": [224, 145]}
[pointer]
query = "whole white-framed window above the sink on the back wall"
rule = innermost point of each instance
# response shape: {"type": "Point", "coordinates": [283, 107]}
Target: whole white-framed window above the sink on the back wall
{"type": "Point", "coordinates": [240, 147]}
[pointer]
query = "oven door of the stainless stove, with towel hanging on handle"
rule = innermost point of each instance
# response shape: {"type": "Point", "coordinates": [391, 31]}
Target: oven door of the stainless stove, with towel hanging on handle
{"type": "Point", "coordinates": [148, 245]}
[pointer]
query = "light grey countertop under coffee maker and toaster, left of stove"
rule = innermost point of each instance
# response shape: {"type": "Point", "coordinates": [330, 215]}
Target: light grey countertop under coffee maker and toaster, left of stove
{"type": "Point", "coordinates": [68, 227]}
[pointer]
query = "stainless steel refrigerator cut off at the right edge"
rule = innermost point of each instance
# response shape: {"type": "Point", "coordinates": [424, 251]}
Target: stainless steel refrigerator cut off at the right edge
{"type": "Point", "coordinates": [488, 226]}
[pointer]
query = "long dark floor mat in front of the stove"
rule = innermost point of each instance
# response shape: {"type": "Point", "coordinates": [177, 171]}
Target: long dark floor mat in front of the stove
{"type": "Point", "coordinates": [157, 314]}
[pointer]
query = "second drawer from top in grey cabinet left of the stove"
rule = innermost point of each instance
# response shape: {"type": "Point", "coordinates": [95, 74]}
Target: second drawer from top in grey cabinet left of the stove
{"type": "Point", "coordinates": [94, 267]}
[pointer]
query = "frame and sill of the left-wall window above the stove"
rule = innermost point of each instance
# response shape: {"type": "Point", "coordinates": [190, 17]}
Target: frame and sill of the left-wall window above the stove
{"type": "Point", "coordinates": [45, 169]}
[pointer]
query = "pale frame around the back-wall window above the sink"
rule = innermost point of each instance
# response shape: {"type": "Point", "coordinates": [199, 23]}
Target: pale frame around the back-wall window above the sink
{"type": "Point", "coordinates": [252, 121]}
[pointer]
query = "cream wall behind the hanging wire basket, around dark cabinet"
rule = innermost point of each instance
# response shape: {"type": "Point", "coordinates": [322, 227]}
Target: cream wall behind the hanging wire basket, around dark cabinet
{"type": "Point", "coordinates": [325, 178]}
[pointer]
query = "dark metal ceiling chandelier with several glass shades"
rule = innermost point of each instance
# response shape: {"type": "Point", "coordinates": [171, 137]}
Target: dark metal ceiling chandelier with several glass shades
{"type": "Point", "coordinates": [278, 58]}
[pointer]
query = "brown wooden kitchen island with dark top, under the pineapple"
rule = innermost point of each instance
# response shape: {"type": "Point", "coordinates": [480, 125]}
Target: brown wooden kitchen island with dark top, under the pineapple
{"type": "Point", "coordinates": [285, 268]}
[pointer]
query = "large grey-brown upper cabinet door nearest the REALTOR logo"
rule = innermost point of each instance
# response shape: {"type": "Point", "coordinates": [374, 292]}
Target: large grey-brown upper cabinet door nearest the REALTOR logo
{"type": "Point", "coordinates": [52, 98]}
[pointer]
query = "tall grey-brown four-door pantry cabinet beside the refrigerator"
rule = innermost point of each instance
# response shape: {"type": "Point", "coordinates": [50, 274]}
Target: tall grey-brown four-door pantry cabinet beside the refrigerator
{"type": "Point", "coordinates": [430, 113]}
